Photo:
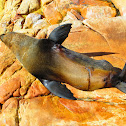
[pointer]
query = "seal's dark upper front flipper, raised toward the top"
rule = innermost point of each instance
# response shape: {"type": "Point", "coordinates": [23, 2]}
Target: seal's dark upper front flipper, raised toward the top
{"type": "Point", "coordinates": [59, 34]}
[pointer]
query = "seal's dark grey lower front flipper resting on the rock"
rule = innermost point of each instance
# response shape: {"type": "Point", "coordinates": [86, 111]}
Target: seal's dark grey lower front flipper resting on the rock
{"type": "Point", "coordinates": [58, 89]}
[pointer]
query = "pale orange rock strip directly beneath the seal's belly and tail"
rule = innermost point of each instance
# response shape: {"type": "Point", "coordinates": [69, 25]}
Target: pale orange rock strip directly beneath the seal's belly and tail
{"type": "Point", "coordinates": [106, 94]}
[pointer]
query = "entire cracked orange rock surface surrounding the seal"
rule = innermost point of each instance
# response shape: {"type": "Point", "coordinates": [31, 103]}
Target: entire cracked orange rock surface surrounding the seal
{"type": "Point", "coordinates": [21, 95]}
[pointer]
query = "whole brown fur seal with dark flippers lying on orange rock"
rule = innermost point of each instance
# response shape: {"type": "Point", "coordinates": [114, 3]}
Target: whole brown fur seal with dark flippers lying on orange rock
{"type": "Point", "coordinates": [52, 63]}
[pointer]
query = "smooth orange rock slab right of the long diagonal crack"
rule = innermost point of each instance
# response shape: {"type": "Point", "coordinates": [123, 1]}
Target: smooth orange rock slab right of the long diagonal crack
{"type": "Point", "coordinates": [113, 31]}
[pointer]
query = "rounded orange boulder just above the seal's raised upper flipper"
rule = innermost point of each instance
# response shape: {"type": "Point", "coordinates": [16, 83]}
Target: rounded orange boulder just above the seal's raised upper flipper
{"type": "Point", "coordinates": [52, 14]}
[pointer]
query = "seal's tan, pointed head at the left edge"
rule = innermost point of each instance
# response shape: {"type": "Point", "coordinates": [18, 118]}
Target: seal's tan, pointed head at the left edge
{"type": "Point", "coordinates": [18, 43]}
